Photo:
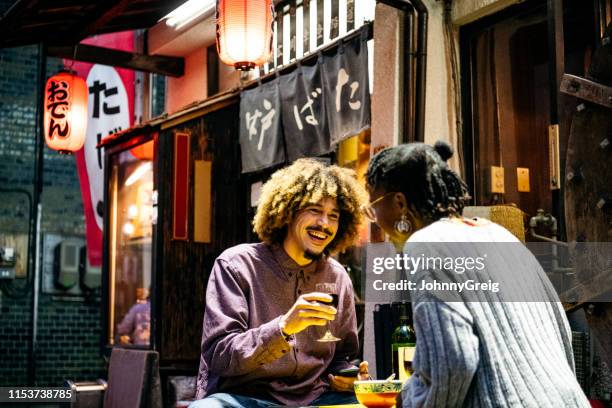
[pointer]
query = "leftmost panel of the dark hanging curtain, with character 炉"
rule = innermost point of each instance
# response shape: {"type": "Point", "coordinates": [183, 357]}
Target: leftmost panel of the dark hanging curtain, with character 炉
{"type": "Point", "coordinates": [261, 141]}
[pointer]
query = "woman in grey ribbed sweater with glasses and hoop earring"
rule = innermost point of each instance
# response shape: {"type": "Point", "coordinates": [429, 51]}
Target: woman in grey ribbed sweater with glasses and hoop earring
{"type": "Point", "coordinates": [473, 350]}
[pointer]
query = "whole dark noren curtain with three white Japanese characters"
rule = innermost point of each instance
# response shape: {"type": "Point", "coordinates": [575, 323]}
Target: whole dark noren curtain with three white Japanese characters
{"type": "Point", "coordinates": [307, 112]}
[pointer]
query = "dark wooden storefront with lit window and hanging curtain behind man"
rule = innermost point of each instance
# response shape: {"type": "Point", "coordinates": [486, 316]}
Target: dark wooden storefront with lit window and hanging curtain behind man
{"type": "Point", "coordinates": [183, 188]}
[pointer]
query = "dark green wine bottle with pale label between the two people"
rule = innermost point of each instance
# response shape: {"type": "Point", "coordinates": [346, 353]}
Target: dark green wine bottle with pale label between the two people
{"type": "Point", "coordinates": [403, 345]}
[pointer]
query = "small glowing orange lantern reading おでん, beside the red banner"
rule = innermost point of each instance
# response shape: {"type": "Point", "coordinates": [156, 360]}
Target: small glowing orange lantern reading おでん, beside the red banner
{"type": "Point", "coordinates": [65, 108]}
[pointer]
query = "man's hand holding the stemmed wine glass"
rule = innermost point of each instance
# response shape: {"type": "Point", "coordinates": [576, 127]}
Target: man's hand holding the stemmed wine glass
{"type": "Point", "coordinates": [310, 309]}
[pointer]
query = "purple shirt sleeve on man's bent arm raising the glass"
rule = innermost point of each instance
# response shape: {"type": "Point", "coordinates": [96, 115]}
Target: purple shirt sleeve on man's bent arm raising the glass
{"type": "Point", "coordinates": [229, 347]}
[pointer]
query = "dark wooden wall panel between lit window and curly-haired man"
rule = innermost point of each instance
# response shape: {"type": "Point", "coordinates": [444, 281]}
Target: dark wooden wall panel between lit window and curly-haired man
{"type": "Point", "coordinates": [184, 267]}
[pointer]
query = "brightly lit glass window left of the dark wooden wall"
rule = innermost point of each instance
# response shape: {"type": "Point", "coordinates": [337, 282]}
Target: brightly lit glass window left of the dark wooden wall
{"type": "Point", "coordinates": [131, 189]}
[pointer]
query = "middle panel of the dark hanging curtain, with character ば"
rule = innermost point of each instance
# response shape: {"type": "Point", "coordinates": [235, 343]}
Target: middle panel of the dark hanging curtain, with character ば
{"type": "Point", "coordinates": [303, 112]}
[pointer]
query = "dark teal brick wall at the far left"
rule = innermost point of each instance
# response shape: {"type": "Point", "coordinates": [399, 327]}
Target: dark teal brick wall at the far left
{"type": "Point", "coordinates": [68, 329]}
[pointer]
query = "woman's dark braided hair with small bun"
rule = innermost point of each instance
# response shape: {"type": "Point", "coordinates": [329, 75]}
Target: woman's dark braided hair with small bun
{"type": "Point", "coordinates": [433, 190]}
